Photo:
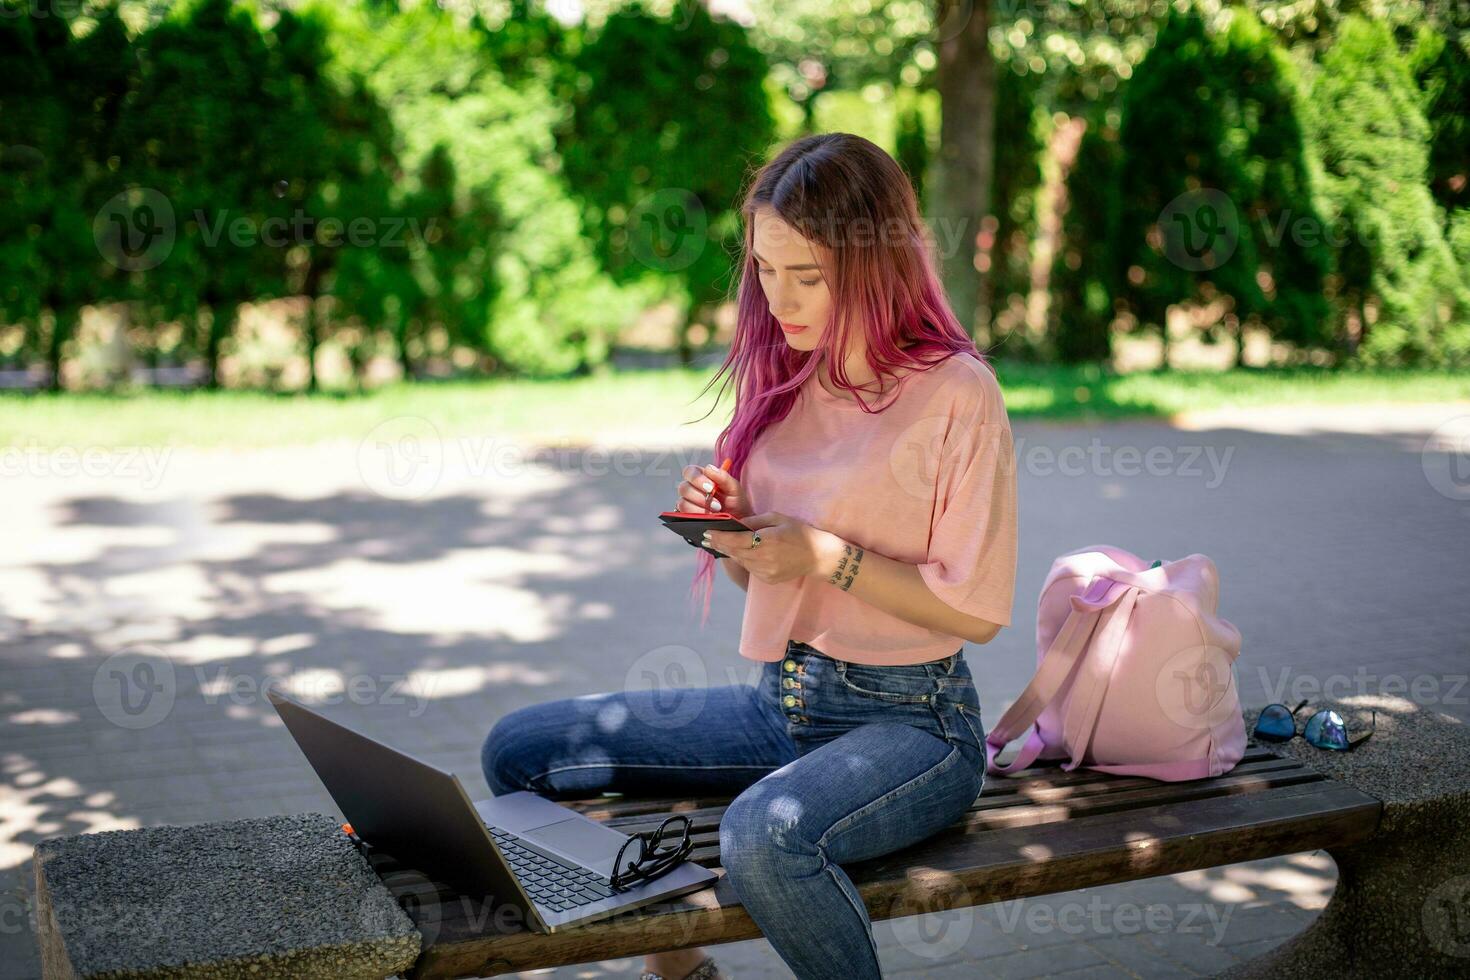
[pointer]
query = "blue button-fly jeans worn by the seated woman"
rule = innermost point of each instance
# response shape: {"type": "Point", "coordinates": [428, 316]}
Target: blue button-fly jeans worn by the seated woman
{"type": "Point", "coordinates": [828, 763]}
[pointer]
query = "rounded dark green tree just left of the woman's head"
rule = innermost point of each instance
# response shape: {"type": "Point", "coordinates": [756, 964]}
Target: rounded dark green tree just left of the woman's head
{"type": "Point", "coordinates": [659, 152]}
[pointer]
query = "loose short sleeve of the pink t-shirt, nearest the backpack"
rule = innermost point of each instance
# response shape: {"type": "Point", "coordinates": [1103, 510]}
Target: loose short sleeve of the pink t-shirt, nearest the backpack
{"type": "Point", "coordinates": [972, 547]}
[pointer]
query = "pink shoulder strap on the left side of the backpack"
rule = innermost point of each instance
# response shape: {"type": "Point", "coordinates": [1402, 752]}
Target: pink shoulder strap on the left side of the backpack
{"type": "Point", "coordinates": [1055, 669]}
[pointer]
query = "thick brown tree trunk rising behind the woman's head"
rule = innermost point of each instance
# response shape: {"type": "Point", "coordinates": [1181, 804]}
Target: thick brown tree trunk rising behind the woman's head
{"type": "Point", "coordinates": [965, 168]}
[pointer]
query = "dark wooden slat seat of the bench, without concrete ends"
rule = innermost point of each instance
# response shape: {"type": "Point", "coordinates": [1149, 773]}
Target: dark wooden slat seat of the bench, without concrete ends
{"type": "Point", "coordinates": [1044, 831]}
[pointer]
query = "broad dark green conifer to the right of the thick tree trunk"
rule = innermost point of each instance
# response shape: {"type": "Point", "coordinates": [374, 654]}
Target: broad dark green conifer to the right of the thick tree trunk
{"type": "Point", "coordinates": [1218, 186]}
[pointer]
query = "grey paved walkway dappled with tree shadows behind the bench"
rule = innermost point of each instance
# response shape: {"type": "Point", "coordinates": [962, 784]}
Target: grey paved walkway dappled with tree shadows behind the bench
{"type": "Point", "coordinates": [396, 590]}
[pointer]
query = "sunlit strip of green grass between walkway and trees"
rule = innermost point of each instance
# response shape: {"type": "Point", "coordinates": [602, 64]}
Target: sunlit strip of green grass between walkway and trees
{"type": "Point", "coordinates": [627, 406]}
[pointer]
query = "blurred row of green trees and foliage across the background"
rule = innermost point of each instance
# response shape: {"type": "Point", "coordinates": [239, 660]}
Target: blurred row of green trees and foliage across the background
{"type": "Point", "coordinates": [477, 186]}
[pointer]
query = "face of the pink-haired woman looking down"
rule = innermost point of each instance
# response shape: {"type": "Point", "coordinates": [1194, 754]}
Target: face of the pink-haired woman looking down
{"type": "Point", "coordinates": [792, 271]}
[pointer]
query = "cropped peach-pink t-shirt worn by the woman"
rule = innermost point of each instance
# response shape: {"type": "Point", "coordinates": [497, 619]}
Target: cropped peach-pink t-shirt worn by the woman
{"type": "Point", "coordinates": [931, 481]}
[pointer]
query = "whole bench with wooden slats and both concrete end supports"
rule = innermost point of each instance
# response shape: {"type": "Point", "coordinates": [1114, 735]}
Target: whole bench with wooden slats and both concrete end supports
{"type": "Point", "coordinates": [292, 897]}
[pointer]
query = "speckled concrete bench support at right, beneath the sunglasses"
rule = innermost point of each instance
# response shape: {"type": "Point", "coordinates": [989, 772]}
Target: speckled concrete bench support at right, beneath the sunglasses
{"type": "Point", "coordinates": [1403, 901]}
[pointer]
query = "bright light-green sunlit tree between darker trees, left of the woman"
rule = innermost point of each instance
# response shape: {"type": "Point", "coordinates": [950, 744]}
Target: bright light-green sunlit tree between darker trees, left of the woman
{"type": "Point", "coordinates": [528, 293]}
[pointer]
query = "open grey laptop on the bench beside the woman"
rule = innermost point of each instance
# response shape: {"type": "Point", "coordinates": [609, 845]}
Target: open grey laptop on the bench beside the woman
{"type": "Point", "coordinates": [549, 863]}
